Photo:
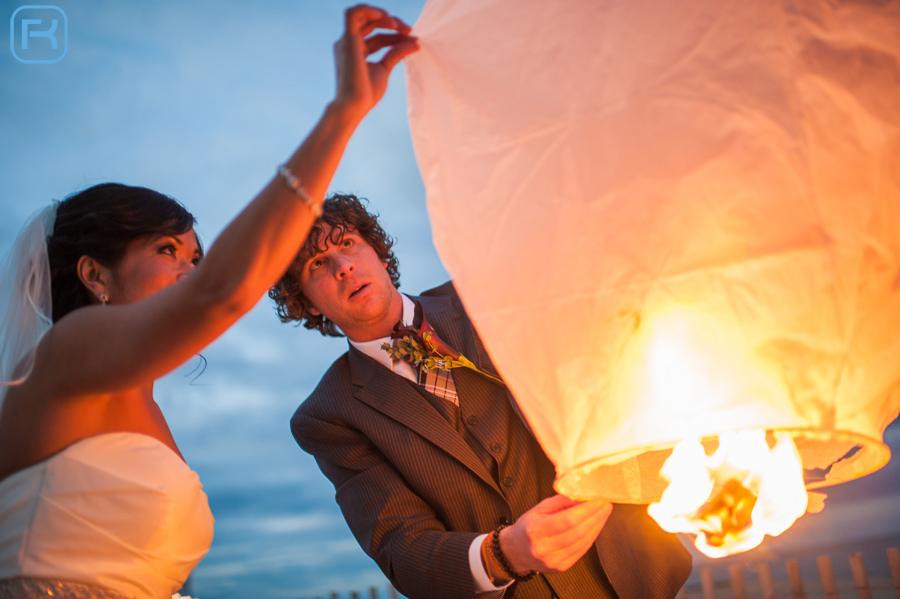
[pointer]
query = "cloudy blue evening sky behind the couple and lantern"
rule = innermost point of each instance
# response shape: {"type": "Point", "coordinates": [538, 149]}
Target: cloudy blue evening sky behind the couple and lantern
{"type": "Point", "coordinates": [202, 100]}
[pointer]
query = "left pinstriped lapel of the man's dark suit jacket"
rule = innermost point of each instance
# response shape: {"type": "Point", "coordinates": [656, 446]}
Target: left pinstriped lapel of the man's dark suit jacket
{"type": "Point", "coordinates": [398, 398]}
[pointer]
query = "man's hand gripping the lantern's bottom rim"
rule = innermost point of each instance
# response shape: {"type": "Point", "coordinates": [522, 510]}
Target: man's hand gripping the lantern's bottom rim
{"type": "Point", "coordinates": [554, 534]}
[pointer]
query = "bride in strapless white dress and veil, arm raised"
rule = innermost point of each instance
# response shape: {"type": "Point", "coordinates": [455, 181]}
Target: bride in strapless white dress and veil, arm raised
{"type": "Point", "coordinates": [95, 498]}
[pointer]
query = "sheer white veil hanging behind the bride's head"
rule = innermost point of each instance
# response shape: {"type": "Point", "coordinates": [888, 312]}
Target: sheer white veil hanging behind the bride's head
{"type": "Point", "coordinates": [26, 308]}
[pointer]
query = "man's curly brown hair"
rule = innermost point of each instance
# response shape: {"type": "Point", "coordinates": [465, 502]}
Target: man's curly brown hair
{"type": "Point", "coordinates": [343, 213]}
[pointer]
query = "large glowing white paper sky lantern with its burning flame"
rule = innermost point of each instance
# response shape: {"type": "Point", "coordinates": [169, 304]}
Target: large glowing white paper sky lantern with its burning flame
{"type": "Point", "coordinates": [676, 227]}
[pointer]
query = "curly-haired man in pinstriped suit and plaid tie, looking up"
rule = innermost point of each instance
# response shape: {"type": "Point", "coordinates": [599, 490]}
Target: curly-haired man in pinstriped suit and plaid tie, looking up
{"type": "Point", "coordinates": [436, 473]}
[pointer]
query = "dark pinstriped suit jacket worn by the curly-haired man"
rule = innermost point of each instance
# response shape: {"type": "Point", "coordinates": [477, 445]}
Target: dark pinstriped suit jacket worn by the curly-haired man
{"type": "Point", "coordinates": [415, 494]}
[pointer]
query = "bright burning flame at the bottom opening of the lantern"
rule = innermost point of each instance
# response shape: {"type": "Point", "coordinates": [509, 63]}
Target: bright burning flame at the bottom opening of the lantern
{"type": "Point", "coordinates": [750, 487]}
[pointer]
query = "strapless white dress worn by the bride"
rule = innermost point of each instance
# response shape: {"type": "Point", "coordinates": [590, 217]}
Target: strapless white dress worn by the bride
{"type": "Point", "coordinates": [119, 511]}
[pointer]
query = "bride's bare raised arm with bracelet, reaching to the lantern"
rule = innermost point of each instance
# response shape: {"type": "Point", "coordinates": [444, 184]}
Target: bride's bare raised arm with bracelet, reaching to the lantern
{"type": "Point", "coordinates": [108, 348]}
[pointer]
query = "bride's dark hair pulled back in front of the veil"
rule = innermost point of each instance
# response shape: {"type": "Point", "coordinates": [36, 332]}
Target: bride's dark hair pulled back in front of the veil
{"type": "Point", "coordinates": [101, 222]}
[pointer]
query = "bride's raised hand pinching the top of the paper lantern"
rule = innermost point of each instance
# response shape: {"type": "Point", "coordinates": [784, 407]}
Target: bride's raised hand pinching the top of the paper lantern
{"type": "Point", "coordinates": [361, 84]}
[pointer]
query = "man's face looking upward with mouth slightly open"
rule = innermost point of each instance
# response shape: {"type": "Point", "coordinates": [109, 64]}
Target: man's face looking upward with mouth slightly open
{"type": "Point", "coordinates": [349, 284]}
